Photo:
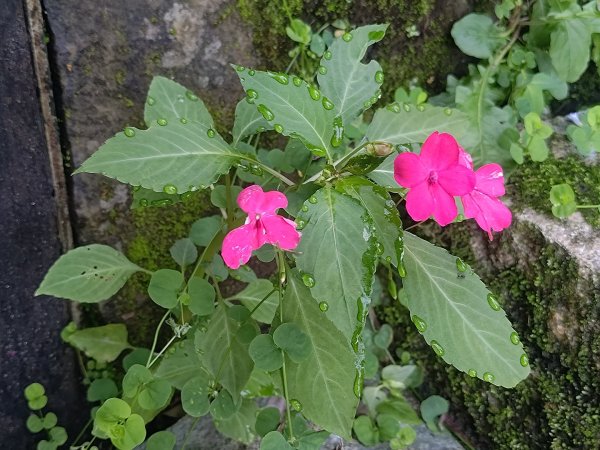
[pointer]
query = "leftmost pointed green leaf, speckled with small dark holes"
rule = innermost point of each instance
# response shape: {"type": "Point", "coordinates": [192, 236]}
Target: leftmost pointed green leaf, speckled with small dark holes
{"type": "Point", "coordinates": [87, 274]}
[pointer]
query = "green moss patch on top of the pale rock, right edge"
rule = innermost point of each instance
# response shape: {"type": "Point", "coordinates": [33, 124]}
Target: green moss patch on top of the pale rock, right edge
{"type": "Point", "coordinates": [531, 184]}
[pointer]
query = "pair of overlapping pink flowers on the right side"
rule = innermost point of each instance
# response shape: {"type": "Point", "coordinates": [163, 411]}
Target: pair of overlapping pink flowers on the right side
{"type": "Point", "coordinates": [444, 170]}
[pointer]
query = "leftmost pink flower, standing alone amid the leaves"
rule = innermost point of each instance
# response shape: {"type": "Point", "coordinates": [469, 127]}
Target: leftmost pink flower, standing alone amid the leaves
{"type": "Point", "coordinates": [263, 226]}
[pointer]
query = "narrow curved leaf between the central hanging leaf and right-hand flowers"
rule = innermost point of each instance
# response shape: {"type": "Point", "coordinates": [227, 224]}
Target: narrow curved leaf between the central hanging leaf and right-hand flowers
{"type": "Point", "coordinates": [384, 215]}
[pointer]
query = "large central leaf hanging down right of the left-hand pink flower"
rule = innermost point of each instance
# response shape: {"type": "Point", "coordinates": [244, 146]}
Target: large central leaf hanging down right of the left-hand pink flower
{"type": "Point", "coordinates": [337, 255]}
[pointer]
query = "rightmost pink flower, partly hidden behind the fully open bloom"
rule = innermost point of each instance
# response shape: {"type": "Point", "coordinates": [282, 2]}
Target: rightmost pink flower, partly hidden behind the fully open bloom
{"type": "Point", "coordinates": [482, 204]}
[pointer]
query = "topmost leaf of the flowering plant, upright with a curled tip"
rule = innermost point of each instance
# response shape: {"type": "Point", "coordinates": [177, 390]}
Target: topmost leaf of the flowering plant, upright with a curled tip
{"type": "Point", "coordinates": [344, 79]}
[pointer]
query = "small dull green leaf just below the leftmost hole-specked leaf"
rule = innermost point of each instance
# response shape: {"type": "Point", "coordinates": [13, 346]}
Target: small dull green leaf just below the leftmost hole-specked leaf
{"type": "Point", "coordinates": [104, 344]}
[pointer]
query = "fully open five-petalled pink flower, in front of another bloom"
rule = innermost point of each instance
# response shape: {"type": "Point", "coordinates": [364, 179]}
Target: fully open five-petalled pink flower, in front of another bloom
{"type": "Point", "coordinates": [433, 178]}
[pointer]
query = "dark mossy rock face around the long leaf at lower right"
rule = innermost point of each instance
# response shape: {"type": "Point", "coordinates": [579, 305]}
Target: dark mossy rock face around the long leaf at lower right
{"type": "Point", "coordinates": [556, 314]}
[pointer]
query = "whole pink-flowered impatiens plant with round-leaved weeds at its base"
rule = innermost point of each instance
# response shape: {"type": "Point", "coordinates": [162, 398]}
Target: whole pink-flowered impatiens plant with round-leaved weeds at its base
{"type": "Point", "coordinates": [326, 210]}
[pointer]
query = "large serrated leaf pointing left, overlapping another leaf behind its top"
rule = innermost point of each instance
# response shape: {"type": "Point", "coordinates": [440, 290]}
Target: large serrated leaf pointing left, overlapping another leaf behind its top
{"type": "Point", "coordinates": [174, 158]}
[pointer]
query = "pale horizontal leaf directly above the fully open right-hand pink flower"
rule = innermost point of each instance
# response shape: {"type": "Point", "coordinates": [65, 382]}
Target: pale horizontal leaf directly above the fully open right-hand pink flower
{"type": "Point", "coordinates": [405, 124]}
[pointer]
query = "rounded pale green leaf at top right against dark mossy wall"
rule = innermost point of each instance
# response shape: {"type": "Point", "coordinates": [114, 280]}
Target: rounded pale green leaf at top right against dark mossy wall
{"type": "Point", "coordinates": [476, 35]}
